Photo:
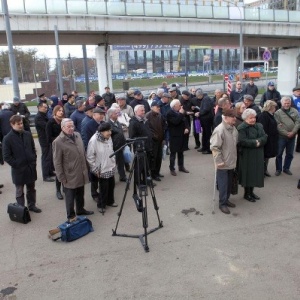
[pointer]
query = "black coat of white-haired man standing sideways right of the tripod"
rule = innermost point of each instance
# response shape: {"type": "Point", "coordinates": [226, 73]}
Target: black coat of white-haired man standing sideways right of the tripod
{"type": "Point", "coordinates": [176, 124]}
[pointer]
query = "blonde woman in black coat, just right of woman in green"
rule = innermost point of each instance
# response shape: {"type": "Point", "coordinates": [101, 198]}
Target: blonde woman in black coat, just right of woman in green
{"type": "Point", "coordinates": [269, 124]}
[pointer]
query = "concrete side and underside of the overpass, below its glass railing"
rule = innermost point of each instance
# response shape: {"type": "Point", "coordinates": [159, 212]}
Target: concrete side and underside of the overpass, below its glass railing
{"type": "Point", "coordinates": [78, 30]}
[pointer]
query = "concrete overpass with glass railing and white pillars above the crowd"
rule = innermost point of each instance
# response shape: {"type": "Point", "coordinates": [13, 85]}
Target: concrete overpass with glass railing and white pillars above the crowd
{"type": "Point", "coordinates": [106, 23]}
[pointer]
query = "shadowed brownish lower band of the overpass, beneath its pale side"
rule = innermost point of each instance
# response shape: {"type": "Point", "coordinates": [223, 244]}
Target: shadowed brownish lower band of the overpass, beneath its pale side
{"type": "Point", "coordinates": [99, 38]}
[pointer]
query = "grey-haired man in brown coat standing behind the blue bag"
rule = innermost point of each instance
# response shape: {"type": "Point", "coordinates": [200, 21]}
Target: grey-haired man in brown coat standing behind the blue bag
{"type": "Point", "coordinates": [71, 168]}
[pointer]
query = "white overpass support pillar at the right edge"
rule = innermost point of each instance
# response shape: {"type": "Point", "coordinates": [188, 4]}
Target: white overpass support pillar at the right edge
{"type": "Point", "coordinates": [287, 70]}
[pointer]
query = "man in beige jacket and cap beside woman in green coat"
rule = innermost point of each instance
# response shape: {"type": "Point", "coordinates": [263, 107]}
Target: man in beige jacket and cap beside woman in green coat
{"type": "Point", "coordinates": [223, 146]}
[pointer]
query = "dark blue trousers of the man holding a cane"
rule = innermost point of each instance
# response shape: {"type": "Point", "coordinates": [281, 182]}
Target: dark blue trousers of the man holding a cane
{"type": "Point", "coordinates": [224, 181]}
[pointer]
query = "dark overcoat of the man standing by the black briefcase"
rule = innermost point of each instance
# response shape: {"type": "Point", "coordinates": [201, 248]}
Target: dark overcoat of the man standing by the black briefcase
{"type": "Point", "coordinates": [19, 152]}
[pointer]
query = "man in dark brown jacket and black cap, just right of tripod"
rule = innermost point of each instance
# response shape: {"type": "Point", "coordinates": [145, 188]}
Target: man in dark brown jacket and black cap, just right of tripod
{"type": "Point", "coordinates": [157, 125]}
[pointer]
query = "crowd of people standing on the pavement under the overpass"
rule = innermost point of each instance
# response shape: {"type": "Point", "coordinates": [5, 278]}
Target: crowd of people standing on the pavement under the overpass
{"type": "Point", "coordinates": [83, 141]}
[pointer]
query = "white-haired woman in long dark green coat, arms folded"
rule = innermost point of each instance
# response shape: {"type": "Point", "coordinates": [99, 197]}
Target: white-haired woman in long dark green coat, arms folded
{"type": "Point", "coordinates": [251, 141]}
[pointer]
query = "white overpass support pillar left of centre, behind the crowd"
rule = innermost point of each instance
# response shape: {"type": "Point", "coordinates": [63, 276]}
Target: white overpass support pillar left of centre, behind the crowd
{"type": "Point", "coordinates": [104, 66]}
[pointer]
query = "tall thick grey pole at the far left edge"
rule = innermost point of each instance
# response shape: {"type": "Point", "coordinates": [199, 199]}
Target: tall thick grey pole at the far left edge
{"type": "Point", "coordinates": [11, 54]}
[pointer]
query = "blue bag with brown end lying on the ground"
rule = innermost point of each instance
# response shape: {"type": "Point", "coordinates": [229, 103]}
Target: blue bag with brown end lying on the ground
{"type": "Point", "coordinates": [72, 230]}
